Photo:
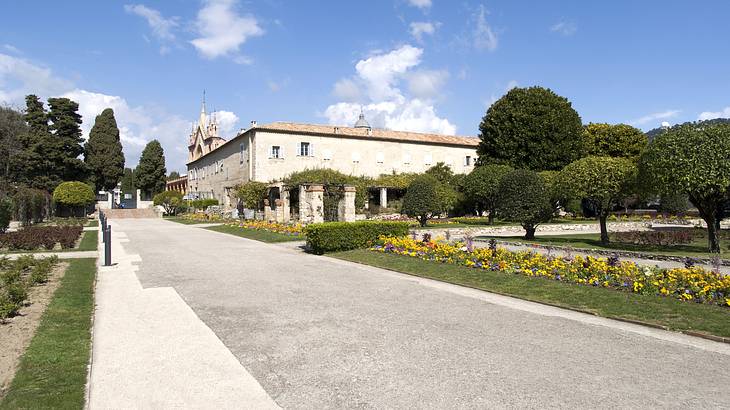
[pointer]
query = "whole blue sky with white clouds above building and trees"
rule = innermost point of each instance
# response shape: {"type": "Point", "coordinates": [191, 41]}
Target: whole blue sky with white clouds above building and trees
{"type": "Point", "coordinates": [421, 65]}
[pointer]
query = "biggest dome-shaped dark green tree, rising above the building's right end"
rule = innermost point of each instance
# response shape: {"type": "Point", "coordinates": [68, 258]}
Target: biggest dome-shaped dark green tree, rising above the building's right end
{"type": "Point", "coordinates": [531, 128]}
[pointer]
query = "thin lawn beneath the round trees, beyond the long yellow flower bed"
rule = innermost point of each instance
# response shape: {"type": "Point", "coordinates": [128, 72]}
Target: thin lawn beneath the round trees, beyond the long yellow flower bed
{"type": "Point", "coordinates": [697, 248]}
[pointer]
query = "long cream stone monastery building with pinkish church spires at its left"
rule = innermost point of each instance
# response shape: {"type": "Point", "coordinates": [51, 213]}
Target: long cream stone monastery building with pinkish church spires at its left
{"type": "Point", "coordinates": [271, 152]}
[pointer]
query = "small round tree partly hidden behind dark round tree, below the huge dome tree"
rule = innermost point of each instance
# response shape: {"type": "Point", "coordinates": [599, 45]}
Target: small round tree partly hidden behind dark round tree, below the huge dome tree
{"type": "Point", "coordinates": [481, 186]}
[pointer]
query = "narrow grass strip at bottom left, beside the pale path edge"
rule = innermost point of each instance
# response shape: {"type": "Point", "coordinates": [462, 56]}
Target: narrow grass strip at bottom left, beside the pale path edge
{"type": "Point", "coordinates": [52, 372]}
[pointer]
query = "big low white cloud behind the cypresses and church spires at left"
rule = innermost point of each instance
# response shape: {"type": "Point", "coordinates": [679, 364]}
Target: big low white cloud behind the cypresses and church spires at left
{"type": "Point", "coordinates": [137, 124]}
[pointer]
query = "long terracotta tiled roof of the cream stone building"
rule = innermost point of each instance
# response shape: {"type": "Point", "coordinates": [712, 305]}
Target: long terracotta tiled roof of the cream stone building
{"type": "Point", "coordinates": [375, 133]}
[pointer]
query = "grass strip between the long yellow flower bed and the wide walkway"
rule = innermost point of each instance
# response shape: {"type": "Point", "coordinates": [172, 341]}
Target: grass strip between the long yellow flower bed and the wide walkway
{"type": "Point", "coordinates": [668, 312]}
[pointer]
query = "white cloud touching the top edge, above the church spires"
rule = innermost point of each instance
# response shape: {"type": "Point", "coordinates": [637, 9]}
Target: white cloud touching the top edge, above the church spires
{"type": "Point", "coordinates": [222, 31]}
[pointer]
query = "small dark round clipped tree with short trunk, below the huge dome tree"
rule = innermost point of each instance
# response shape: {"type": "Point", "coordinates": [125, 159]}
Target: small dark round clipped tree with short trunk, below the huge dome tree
{"type": "Point", "coordinates": [525, 198]}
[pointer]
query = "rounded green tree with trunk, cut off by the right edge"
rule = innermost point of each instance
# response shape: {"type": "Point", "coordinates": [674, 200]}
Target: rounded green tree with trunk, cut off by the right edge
{"type": "Point", "coordinates": [693, 159]}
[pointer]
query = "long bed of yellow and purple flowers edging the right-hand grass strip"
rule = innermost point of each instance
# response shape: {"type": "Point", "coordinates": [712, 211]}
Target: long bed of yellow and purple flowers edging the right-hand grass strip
{"type": "Point", "coordinates": [688, 284]}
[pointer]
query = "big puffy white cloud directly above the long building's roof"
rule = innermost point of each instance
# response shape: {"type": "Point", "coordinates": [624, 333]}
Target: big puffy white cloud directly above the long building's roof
{"type": "Point", "coordinates": [376, 90]}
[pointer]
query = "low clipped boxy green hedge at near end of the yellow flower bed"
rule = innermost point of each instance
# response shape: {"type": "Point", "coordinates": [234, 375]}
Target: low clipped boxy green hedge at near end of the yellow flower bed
{"type": "Point", "coordinates": [342, 236]}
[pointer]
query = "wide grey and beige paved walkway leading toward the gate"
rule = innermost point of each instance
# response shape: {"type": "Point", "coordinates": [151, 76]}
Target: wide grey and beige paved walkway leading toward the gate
{"type": "Point", "coordinates": [317, 332]}
